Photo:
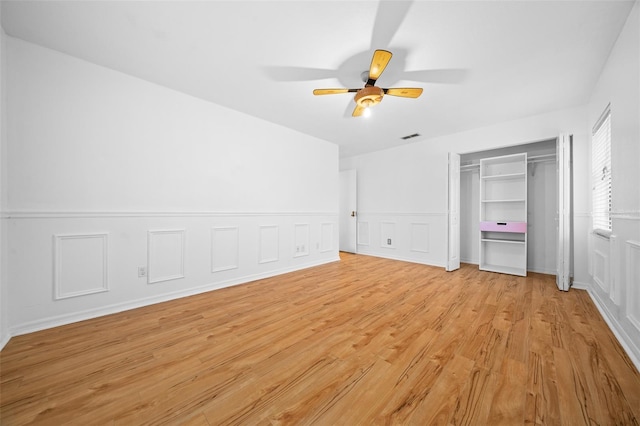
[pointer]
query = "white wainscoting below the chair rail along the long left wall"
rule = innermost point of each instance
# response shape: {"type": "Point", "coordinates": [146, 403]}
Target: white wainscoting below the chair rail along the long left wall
{"type": "Point", "coordinates": [56, 256]}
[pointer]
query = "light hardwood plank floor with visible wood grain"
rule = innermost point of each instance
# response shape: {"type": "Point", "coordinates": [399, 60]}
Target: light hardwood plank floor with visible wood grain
{"type": "Point", "coordinates": [360, 341]}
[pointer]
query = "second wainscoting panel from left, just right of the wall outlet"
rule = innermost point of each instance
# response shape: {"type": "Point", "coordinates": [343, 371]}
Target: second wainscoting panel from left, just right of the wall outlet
{"type": "Point", "coordinates": [166, 255]}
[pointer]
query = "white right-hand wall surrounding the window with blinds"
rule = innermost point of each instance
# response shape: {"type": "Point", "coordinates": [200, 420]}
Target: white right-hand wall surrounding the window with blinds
{"type": "Point", "coordinates": [614, 280]}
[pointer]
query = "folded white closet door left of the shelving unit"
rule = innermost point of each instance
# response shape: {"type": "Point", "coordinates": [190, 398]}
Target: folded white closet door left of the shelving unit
{"type": "Point", "coordinates": [453, 237]}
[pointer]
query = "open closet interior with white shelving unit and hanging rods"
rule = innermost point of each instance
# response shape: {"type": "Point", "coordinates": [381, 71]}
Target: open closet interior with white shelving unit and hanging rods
{"type": "Point", "coordinates": [508, 208]}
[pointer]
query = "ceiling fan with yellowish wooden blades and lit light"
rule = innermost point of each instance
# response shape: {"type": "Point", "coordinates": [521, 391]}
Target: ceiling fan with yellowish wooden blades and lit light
{"type": "Point", "coordinates": [371, 95]}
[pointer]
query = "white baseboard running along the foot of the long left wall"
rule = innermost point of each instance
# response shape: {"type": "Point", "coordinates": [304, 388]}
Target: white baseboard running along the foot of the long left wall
{"type": "Point", "coordinates": [56, 321]}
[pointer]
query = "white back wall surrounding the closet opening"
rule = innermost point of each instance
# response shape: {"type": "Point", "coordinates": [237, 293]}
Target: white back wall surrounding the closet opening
{"type": "Point", "coordinates": [405, 186]}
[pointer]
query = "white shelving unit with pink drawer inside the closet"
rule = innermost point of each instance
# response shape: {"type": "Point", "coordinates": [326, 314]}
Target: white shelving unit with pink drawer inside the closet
{"type": "Point", "coordinates": [503, 214]}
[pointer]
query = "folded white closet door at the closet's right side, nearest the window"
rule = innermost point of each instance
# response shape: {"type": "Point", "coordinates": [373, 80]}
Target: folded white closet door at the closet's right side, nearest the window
{"type": "Point", "coordinates": [563, 214]}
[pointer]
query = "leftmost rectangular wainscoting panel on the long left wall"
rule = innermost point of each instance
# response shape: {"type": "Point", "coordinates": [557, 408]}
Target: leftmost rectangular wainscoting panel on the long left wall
{"type": "Point", "coordinates": [80, 265]}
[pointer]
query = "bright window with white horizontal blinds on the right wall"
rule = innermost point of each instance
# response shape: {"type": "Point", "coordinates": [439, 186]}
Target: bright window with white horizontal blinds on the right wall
{"type": "Point", "coordinates": [601, 172]}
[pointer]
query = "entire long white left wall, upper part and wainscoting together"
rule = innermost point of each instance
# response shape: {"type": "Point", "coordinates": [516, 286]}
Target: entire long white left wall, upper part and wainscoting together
{"type": "Point", "coordinates": [107, 173]}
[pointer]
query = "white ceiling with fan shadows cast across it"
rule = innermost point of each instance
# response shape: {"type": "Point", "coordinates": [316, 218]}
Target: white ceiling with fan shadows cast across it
{"type": "Point", "coordinates": [479, 62]}
